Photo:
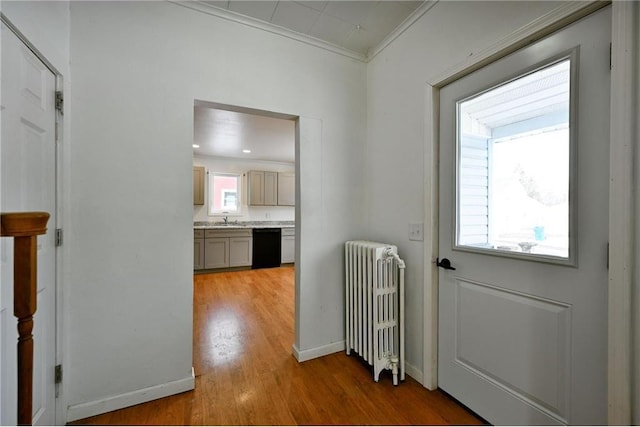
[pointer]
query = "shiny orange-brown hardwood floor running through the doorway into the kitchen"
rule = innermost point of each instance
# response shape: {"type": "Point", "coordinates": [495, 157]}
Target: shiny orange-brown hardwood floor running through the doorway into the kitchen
{"type": "Point", "coordinates": [246, 374]}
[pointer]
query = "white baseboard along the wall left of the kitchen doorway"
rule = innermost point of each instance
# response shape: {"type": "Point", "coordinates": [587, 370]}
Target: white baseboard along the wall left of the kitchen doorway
{"type": "Point", "coordinates": [112, 403]}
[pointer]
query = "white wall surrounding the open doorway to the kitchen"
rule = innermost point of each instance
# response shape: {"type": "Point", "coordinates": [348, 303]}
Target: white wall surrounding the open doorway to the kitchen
{"type": "Point", "coordinates": [138, 67]}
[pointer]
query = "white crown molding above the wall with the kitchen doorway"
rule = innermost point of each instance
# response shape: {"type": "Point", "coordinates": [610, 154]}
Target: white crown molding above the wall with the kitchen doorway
{"type": "Point", "coordinates": [268, 27]}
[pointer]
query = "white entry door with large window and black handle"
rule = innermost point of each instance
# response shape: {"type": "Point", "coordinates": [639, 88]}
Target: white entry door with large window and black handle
{"type": "Point", "coordinates": [524, 167]}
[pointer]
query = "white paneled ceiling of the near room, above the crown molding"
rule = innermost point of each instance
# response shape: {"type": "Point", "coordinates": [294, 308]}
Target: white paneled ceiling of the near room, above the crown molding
{"type": "Point", "coordinates": [357, 26]}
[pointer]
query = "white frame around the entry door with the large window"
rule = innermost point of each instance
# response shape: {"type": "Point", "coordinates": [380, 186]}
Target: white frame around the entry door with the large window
{"type": "Point", "coordinates": [621, 203]}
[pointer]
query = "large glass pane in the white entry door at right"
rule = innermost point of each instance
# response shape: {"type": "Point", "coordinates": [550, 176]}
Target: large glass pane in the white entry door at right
{"type": "Point", "coordinates": [514, 166]}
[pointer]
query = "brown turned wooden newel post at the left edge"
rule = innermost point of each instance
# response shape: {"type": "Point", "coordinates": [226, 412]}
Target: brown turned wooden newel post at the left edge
{"type": "Point", "coordinates": [24, 227]}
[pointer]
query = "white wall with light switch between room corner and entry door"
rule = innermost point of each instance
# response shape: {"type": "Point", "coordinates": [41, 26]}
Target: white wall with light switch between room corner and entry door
{"type": "Point", "coordinates": [395, 165]}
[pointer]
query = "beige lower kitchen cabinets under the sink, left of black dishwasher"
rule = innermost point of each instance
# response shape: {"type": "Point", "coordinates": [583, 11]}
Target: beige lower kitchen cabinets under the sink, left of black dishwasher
{"type": "Point", "coordinates": [225, 248]}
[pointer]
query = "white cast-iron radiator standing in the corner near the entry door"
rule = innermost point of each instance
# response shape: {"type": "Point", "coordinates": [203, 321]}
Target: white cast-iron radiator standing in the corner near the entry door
{"type": "Point", "coordinates": [375, 305]}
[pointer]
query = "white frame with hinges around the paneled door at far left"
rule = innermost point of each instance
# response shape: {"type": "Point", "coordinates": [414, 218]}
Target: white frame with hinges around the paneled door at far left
{"type": "Point", "coordinates": [59, 404]}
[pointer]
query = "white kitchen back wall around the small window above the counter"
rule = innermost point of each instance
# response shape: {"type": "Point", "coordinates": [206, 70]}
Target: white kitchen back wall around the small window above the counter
{"type": "Point", "coordinates": [248, 213]}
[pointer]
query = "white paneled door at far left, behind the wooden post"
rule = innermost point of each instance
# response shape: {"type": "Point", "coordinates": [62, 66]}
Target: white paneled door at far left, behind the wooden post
{"type": "Point", "coordinates": [28, 183]}
